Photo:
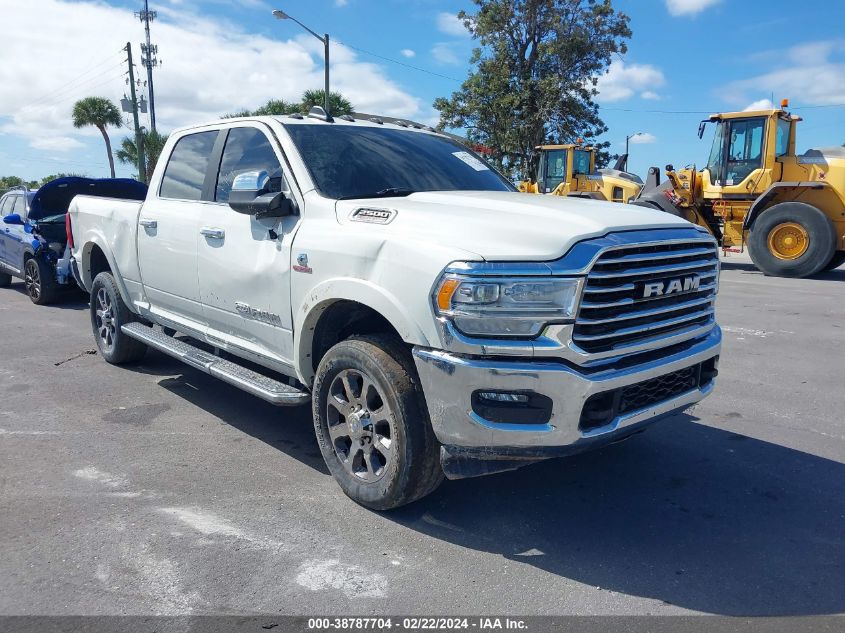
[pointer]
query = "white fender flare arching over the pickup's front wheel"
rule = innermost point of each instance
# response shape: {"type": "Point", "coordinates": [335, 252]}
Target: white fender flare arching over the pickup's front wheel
{"type": "Point", "coordinates": [318, 299]}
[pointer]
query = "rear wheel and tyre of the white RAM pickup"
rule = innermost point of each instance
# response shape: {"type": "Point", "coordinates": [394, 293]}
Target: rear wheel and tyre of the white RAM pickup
{"type": "Point", "coordinates": [108, 315]}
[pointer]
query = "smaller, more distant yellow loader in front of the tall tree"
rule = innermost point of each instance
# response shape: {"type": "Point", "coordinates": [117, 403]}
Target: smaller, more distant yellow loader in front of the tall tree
{"type": "Point", "coordinates": [570, 170]}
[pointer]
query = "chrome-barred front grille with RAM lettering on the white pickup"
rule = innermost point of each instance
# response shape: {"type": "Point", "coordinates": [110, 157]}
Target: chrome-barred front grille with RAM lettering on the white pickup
{"type": "Point", "coordinates": [613, 314]}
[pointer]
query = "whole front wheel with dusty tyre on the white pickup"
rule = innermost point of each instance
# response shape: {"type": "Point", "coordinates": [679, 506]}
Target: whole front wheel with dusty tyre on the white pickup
{"type": "Point", "coordinates": [372, 425]}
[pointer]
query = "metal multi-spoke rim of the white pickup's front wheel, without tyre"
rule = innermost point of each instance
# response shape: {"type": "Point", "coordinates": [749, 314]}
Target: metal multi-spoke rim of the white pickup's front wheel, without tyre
{"type": "Point", "coordinates": [361, 425]}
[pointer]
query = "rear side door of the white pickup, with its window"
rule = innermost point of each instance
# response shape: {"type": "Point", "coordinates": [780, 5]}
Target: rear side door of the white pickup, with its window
{"type": "Point", "coordinates": [168, 231]}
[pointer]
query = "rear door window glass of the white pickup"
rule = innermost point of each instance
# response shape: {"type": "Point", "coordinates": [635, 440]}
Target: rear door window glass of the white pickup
{"type": "Point", "coordinates": [185, 173]}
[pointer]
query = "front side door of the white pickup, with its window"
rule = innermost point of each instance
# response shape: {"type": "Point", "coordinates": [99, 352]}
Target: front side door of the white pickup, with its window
{"type": "Point", "coordinates": [244, 262]}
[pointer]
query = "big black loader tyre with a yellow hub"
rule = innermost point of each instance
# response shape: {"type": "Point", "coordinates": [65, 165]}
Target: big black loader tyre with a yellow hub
{"type": "Point", "coordinates": [792, 239]}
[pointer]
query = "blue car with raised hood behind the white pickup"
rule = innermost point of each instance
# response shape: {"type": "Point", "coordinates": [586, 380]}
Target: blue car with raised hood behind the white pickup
{"type": "Point", "coordinates": [33, 233]}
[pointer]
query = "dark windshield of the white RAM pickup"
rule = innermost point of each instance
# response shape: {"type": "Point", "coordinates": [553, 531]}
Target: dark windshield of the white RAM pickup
{"type": "Point", "coordinates": [347, 161]}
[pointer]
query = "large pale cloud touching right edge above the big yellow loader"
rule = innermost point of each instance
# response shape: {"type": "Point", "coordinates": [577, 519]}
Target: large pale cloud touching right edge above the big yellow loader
{"type": "Point", "coordinates": [813, 74]}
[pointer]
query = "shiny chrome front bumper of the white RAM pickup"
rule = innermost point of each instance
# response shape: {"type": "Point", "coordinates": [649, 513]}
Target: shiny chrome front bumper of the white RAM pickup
{"type": "Point", "coordinates": [449, 380]}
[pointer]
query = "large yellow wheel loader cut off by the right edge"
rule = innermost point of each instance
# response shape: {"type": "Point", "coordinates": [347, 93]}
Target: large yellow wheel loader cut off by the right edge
{"type": "Point", "coordinates": [755, 190]}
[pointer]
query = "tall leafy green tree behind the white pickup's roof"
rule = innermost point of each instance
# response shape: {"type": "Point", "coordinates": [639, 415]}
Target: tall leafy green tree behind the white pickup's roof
{"type": "Point", "coordinates": [534, 76]}
